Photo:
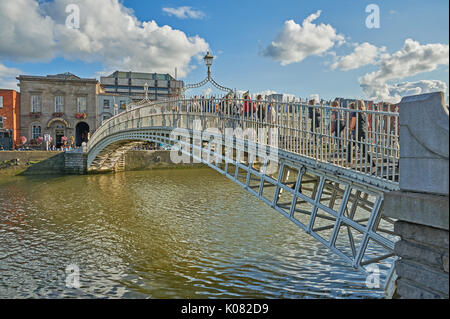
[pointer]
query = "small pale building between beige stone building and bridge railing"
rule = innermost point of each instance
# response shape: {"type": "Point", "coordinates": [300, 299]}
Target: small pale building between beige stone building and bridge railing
{"type": "Point", "coordinates": [109, 105]}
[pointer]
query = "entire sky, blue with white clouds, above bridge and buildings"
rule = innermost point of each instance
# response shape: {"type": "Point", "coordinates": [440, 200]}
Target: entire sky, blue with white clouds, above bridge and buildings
{"type": "Point", "coordinates": [295, 47]}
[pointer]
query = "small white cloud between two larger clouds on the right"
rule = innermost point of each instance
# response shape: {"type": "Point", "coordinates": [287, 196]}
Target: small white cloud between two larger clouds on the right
{"type": "Point", "coordinates": [364, 54]}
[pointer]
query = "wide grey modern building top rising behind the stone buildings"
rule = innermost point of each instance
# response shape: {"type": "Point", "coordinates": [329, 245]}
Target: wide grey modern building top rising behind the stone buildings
{"type": "Point", "coordinates": [133, 84]}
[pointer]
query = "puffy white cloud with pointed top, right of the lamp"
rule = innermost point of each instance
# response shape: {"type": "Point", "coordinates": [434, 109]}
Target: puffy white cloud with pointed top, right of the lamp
{"type": "Point", "coordinates": [296, 42]}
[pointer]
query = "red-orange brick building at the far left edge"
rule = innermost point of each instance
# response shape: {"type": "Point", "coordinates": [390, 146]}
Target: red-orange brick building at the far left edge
{"type": "Point", "coordinates": [10, 115]}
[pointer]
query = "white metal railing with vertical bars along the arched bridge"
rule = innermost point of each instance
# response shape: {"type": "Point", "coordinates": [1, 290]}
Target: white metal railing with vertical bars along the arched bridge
{"type": "Point", "coordinates": [307, 130]}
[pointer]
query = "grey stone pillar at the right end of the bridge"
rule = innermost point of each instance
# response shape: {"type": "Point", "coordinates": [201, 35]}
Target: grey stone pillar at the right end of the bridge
{"type": "Point", "coordinates": [421, 206]}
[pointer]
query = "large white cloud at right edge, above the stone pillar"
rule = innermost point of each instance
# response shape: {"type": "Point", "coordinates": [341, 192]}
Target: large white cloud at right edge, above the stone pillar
{"type": "Point", "coordinates": [411, 60]}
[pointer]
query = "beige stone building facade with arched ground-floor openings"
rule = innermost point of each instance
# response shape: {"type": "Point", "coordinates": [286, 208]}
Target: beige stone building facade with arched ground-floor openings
{"type": "Point", "coordinates": [61, 105]}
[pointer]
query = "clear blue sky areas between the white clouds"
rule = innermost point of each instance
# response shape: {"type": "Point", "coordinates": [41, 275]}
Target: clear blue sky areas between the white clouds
{"type": "Point", "coordinates": [238, 32]}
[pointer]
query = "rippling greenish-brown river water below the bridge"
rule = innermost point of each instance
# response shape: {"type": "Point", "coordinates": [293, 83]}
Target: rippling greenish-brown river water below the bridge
{"type": "Point", "coordinates": [183, 233]}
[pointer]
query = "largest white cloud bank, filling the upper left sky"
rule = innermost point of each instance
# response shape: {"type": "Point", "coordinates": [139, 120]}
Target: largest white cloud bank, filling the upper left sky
{"type": "Point", "coordinates": [31, 30]}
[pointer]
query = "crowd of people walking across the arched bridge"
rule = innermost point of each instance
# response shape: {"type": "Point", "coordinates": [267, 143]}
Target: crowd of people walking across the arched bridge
{"type": "Point", "coordinates": [349, 125]}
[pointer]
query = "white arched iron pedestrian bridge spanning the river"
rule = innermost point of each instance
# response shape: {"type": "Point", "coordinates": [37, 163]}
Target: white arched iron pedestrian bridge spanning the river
{"type": "Point", "coordinates": [305, 161]}
